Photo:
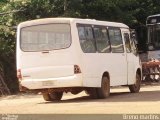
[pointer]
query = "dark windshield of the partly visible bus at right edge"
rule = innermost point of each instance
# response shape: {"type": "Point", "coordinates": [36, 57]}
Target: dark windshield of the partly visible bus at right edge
{"type": "Point", "coordinates": [154, 36]}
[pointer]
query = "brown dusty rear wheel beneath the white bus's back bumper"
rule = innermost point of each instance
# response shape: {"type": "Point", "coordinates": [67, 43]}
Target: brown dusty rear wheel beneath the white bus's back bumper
{"type": "Point", "coordinates": [54, 96]}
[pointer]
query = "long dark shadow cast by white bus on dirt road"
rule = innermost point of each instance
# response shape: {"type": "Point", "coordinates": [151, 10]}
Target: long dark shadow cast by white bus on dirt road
{"type": "Point", "coordinates": [143, 96]}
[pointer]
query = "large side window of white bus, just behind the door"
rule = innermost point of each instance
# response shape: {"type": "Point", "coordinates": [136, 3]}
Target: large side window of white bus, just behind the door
{"type": "Point", "coordinates": [116, 40]}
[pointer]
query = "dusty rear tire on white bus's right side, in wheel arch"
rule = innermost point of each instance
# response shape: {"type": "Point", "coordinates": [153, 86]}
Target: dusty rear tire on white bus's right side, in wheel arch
{"type": "Point", "coordinates": [104, 90]}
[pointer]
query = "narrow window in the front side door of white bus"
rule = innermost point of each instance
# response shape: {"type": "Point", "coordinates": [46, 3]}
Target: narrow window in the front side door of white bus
{"type": "Point", "coordinates": [127, 42]}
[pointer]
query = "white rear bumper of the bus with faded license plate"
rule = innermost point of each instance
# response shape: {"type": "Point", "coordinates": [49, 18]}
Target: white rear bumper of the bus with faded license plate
{"type": "Point", "coordinates": [69, 81]}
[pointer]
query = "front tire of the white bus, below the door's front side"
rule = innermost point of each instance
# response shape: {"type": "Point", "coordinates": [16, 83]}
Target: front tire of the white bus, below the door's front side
{"type": "Point", "coordinates": [136, 87]}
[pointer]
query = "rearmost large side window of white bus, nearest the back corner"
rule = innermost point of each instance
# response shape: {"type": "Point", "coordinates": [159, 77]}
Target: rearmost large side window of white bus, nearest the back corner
{"type": "Point", "coordinates": [86, 39]}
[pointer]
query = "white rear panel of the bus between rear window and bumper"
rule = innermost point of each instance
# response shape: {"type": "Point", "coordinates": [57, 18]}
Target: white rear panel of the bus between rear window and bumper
{"type": "Point", "coordinates": [38, 65]}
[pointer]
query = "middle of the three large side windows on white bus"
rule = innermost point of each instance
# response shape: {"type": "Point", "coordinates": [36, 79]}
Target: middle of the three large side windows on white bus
{"type": "Point", "coordinates": [102, 41]}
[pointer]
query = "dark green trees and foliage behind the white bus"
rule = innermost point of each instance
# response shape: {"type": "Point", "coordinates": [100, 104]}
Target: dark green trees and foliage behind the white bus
{"type": "Point", "coordinates": [12, 12]}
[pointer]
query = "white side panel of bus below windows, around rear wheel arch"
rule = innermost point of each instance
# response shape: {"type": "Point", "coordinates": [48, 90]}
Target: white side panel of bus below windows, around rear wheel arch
{"type": "Point", "coordinates": [94, 71]}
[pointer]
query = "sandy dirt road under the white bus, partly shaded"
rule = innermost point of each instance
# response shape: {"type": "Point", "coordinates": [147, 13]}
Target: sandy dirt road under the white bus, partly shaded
{"type": "Point", "coordinates": [121, 101]}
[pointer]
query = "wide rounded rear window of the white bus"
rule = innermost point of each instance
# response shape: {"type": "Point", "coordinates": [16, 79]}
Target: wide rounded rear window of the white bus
{"type": "Point", "coordinates": [45, 37]}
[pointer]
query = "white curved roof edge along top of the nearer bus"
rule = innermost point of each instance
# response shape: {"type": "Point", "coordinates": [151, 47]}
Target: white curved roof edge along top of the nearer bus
{"type": "Point", "coordinates": [71, 20]}
